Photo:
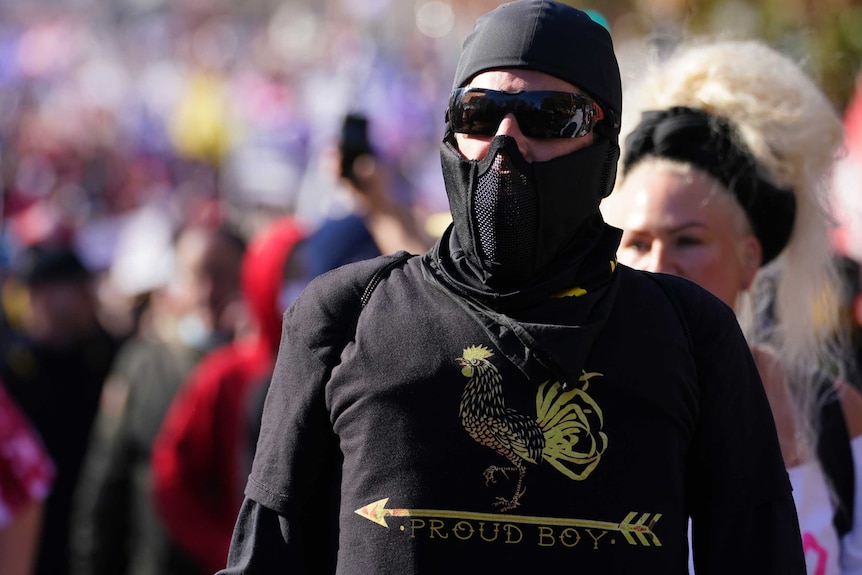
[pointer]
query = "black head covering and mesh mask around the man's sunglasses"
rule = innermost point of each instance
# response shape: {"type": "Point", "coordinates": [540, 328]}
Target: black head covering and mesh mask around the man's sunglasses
{"type": "Point", "coordinates": [512, 218]}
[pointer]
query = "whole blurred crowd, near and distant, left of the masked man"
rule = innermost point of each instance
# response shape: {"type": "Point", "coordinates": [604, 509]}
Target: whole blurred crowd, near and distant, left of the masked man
{"type": "Point", "coordinates": [169, 182]}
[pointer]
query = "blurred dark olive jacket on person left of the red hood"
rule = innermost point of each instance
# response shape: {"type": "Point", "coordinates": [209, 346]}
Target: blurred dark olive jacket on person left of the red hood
{"type": "Point", "coordinates": [115, 529]}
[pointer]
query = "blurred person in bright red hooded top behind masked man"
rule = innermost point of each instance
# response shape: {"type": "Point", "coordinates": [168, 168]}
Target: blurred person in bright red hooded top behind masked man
{"type": "Point", "coordinates": [200, 458]}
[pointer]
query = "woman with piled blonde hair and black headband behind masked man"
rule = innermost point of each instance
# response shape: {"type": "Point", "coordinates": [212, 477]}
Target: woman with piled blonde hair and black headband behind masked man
{"type": "Point", "coordinates": [723, 175]}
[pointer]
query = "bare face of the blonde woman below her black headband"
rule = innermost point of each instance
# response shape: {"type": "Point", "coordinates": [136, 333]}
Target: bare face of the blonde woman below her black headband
{"type": "Point", "coordinates": [684, 224]}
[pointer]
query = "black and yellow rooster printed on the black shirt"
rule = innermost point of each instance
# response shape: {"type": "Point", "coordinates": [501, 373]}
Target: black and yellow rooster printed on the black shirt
{"type": "Point", "coordinates": [566, 432]}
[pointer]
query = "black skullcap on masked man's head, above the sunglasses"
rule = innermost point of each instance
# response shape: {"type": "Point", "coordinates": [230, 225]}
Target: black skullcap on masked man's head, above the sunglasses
{"type": "Point", "coordinates": [549, 37]}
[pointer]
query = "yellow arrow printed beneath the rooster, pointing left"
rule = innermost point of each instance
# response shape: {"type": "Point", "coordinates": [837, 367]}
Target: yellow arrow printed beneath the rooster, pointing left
{"type": "Point", "coordinates": [635, 529]}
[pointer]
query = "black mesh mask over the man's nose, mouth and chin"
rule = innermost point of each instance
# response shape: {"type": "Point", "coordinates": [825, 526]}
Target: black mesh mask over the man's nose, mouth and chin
{"type": "Point", "coordinates": [512, 217]}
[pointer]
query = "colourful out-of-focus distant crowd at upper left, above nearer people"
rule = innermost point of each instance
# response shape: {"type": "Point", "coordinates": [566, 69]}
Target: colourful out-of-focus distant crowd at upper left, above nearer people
{"type": "Point", "coordinates": [192, 107]}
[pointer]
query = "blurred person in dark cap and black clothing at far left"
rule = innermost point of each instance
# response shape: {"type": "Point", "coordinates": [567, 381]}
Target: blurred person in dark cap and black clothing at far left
{"type": "Point", "coordinates": [55, 368]}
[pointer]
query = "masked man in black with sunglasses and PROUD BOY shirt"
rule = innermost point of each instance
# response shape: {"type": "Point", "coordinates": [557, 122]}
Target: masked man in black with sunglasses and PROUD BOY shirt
{"type": "Point", "coordinates": [514, 400]}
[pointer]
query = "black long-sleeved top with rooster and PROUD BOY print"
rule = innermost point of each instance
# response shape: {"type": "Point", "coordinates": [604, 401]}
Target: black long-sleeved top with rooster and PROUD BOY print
{"type": "Point", "coordinates": [456, 432]}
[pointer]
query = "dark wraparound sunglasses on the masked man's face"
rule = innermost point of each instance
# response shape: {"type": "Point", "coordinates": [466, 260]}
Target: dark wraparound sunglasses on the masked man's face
{"type": "Point", "coordinates": [543, 114]}
